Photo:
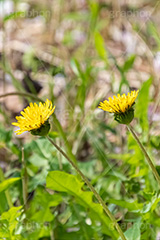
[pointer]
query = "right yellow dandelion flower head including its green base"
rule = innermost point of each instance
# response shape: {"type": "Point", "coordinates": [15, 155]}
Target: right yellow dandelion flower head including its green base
{"type": "Point", "coordinates": [121, 106]}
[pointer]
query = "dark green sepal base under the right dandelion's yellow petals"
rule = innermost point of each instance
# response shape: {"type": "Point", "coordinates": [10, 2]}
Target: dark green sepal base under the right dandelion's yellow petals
{"type": "Point", "coordinates": [126, 117]}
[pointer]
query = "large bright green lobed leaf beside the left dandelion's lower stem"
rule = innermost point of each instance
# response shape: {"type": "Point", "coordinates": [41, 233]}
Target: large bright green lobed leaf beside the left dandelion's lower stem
{"type": "Point", "coordinates": [64, 182]}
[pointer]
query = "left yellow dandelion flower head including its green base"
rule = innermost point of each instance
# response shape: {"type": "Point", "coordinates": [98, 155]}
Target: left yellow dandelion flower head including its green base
{"type": "Point", "coordinates": [35, 118]}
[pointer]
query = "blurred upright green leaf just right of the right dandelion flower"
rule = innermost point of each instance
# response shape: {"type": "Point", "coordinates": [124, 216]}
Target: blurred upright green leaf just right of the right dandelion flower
{"type": "Point", "coordinates": [141, 109]}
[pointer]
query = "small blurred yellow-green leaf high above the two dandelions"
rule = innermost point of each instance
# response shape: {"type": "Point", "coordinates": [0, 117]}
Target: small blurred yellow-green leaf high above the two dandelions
{"type": "Point", "coordinates": [100, 47]}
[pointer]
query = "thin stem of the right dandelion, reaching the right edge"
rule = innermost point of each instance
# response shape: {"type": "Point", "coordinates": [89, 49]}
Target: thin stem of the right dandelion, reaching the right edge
{"type": "Point", "coordinates": [154, 171]}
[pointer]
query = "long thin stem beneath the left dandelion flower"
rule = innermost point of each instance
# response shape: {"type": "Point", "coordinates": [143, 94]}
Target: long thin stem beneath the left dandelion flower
{"type": "Point", "coordinates": [115, 224]}
